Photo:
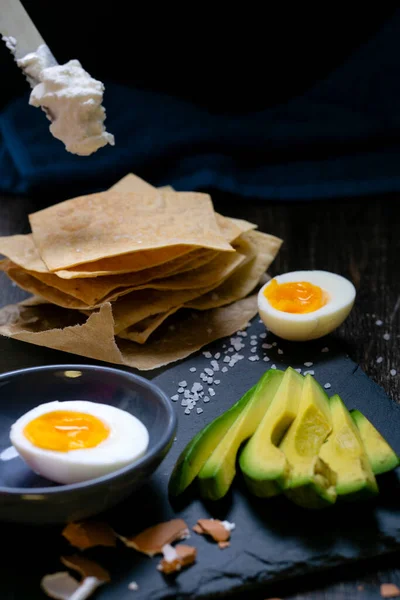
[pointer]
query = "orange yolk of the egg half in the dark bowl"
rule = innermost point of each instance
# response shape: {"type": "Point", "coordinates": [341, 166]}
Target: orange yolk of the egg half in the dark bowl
{"type": "Point", "coordinates": [63, 430]}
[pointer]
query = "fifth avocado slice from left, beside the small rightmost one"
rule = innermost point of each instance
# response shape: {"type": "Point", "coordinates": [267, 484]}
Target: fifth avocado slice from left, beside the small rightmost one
{"type": "Point", "coordinates": [344, 452]}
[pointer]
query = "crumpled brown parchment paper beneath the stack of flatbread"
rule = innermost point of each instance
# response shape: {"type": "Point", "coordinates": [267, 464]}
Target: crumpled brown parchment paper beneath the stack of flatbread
{"type": "Point", "coordinates": [93, 337]}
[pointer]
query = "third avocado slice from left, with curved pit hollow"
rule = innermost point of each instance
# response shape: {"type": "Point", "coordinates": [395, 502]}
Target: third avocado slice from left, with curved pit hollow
{"type": "Point", "coordinates": [262, 463]}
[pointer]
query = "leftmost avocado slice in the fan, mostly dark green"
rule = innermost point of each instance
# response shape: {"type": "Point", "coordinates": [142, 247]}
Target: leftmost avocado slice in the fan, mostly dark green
{"type": "Point", "coordinates": [197, 451]}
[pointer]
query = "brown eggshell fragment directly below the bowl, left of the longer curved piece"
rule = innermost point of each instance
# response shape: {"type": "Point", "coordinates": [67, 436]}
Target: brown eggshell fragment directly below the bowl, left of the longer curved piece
{"type": "Point", "coordinates": [88, 534]}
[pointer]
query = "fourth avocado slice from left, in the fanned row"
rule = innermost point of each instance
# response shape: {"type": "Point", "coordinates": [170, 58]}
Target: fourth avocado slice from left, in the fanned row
{"type": "Point", "coordinates": [310, 482]}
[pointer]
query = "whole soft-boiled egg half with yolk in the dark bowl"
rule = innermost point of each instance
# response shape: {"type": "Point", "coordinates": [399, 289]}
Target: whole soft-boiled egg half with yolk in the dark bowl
{"type": "Point", "coordinates": [73, 441]}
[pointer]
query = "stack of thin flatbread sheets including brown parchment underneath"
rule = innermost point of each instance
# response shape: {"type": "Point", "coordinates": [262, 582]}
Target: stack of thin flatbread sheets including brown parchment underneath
{"type": "Point", "coordinates": [134, 275]}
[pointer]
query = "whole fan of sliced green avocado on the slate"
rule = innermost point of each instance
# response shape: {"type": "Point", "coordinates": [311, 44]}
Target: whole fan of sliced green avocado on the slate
{"type": "Point", "coordinates": [291, 439]}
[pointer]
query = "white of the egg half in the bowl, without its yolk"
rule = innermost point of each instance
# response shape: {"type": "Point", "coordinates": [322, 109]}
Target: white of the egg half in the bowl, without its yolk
{"type": "Point", "coordinates": [127, 441]}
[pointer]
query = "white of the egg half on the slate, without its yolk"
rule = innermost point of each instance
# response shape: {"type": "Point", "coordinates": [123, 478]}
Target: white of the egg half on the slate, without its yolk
{"type": "Point", "coordinates": [316, 324]}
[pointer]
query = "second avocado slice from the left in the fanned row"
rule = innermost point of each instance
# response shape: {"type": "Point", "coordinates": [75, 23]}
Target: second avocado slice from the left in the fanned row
{"type": "Point", "coordinates": [217, 474]}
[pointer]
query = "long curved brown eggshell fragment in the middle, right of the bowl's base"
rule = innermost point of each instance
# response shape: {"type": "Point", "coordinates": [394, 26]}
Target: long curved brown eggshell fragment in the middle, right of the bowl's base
{"type": "Point", "coordinates": [151, 540]}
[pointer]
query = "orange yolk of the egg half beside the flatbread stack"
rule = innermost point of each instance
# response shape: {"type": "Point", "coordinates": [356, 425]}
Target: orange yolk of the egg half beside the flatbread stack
{"type": "Point", "coordinates": [295, 297]}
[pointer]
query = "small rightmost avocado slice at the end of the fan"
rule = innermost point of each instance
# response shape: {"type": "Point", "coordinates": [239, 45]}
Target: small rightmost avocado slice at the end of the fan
{"type": "Point", "coordinates": [381, 456]}
